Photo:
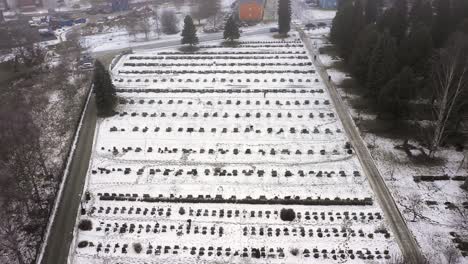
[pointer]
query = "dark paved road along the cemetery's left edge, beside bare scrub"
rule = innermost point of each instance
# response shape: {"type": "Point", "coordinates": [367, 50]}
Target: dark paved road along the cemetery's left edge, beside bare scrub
{"type": "Point", "coordinates": [61, 233]}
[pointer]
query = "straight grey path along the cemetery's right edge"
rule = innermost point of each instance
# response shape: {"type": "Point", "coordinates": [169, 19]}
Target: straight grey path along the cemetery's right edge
{"type": "Point", "coordinates": [408, 245]}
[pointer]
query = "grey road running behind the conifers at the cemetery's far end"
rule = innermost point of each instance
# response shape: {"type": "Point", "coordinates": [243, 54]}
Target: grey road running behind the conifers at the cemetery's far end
{"type": "Point", "coordinates": [176, 42]}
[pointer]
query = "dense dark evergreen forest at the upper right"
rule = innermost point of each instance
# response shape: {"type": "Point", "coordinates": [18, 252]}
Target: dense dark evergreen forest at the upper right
{"type": "Point", "coordinates": [410, 52]}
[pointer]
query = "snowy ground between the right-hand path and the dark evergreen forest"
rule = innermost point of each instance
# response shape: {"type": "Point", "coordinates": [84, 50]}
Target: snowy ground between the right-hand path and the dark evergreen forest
{"type": "Point", "coordinates": [435, 210]}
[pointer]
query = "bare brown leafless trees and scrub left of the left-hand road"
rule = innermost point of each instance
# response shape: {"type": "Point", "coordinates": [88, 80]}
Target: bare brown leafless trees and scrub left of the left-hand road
{"type": "Point", "coordinates": [39, 109]}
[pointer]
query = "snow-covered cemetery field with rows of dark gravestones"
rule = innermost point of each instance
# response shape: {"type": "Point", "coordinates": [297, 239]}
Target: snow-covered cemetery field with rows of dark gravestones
{"type": "Point", "coordinates": [208, 148]}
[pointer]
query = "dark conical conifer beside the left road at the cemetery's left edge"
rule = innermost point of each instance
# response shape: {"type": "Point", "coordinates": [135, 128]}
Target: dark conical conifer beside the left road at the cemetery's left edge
{"type": "Point", "coordinates": [104, 89]}
